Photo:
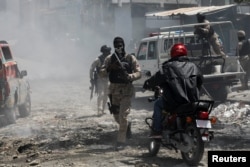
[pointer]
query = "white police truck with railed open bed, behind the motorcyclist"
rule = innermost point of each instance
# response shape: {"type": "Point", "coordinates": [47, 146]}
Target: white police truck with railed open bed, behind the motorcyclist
{"type": "Point", "coordinates": [219, 73]}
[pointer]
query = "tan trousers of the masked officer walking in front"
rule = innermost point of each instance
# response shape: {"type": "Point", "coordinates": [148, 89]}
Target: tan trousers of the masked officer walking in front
{"type": "Point", "coordinates": [121, 96]}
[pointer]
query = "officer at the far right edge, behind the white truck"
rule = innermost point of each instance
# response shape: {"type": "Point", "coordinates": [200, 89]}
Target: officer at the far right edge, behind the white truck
{"type": "Point", "coordinates": [244, 51]}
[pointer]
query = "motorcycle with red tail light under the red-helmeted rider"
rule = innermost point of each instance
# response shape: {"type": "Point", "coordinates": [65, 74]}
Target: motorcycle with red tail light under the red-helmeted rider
{"type": "Point", "coordinates": [186, 129]}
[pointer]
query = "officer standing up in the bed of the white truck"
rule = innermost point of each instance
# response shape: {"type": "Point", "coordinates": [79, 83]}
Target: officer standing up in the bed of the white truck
{"type": "Point", "coordinates": [207, 32]}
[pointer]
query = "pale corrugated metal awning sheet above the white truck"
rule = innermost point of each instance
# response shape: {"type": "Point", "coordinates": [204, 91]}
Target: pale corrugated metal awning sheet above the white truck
{"type": "Point", "coordinates": [188, 11]}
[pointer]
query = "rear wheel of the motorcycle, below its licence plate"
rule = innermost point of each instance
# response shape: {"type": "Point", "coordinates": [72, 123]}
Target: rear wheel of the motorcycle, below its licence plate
{"type": "Point", "coordinates": [194, 156]}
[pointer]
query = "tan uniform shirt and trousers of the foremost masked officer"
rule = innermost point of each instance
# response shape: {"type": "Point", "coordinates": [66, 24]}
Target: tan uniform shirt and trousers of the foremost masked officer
{"type": "Point", "coordinates": [121, 93]}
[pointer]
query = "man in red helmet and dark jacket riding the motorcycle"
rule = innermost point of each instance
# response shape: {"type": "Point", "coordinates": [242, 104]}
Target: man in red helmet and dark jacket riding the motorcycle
{"type": "Point", "coordinates": [180, 81]}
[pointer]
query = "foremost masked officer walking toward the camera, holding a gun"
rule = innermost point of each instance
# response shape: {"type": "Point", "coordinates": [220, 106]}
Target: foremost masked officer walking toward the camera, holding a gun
{"type": "Point", "coordinates": [122, 70]}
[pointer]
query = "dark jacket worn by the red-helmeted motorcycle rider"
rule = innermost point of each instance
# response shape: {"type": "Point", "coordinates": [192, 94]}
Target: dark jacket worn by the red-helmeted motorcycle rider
{"type": "Point", "coordinates": [180, 80]}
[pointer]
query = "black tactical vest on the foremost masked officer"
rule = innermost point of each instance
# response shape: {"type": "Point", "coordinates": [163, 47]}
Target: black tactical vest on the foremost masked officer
{"type": "Point", "coordinates": [117, 75]}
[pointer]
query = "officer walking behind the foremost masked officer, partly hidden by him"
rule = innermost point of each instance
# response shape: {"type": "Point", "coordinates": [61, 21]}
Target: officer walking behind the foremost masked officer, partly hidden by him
{"type": "Point", "coordinates": [101, 81]}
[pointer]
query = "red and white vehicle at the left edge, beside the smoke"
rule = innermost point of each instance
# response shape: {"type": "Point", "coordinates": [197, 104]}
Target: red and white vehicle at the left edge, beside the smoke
{"type": "Point", "coordinates": [14, 88]}
